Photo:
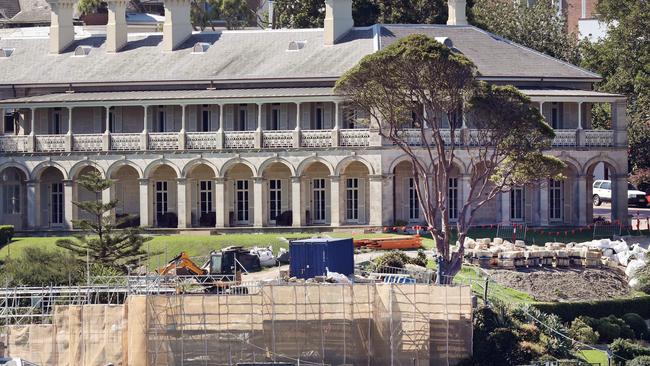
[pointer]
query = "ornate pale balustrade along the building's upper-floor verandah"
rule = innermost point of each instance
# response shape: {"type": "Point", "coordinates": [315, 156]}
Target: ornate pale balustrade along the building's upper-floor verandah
{"type": "Point", "coordinates": [242, 140]}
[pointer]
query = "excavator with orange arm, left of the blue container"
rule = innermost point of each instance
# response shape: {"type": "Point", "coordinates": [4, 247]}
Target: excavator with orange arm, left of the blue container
{"type": "Point", "coordinates": [220, 274]}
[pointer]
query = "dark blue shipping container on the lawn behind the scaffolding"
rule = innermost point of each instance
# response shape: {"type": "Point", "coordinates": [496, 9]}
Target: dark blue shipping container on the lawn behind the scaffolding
{"type": "Point", "coordinates": [312, 257]}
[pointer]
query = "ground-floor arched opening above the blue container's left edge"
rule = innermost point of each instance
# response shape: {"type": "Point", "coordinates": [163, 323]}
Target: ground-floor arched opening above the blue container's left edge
{"type": "Point", "coordinates": [277, 195]}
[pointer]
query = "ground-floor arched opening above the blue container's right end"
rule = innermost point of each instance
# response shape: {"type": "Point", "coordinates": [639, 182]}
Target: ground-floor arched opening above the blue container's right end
{"type": "Point", "coordinates": [355, 190]}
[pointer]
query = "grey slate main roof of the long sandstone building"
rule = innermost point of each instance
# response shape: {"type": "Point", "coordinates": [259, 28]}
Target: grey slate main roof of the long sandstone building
{"type": "Point", "coordinates": [259, 55]}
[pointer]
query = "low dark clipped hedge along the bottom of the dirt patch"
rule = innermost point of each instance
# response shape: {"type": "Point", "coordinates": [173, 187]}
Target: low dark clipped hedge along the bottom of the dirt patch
{"type": "Point", "coordinates": [568, 311]}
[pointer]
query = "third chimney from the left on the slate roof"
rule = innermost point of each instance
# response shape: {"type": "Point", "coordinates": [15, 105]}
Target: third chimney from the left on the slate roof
{"type": "Point", "coordinates": [177, 27]}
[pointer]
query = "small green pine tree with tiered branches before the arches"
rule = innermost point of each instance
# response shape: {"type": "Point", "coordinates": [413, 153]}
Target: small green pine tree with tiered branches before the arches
{"type": "Point", "coordinates": [100, 242]}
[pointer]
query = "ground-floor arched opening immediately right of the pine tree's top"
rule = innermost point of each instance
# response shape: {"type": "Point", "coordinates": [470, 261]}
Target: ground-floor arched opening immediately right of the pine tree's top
{"type": "Point", "coordinates": [126, 192]}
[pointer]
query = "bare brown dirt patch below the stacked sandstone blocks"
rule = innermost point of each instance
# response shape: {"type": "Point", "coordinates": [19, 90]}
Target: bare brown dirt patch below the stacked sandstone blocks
{"type": "Point", "coordinates": [565, 284]}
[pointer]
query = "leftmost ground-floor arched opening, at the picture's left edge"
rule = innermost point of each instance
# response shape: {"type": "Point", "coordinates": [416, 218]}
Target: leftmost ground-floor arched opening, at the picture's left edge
{"type": "Point", "coordinates": [13, 193]}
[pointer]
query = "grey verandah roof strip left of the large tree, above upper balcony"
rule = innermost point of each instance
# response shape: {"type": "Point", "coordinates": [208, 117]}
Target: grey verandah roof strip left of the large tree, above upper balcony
{"type": "Point", "coordinates": [152, 97]}
